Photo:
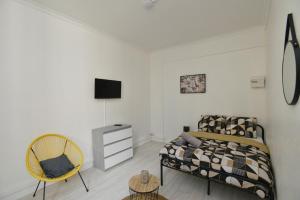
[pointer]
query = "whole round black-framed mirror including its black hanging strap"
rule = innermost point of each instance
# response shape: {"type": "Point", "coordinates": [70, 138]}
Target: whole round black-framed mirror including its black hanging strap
{"type": "Point", "coordinates": [291, 65]}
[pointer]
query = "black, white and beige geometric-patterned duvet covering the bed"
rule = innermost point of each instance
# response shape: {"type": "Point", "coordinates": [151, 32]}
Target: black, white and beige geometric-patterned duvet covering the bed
{"type": "Point", "coordinates": [233, 163]}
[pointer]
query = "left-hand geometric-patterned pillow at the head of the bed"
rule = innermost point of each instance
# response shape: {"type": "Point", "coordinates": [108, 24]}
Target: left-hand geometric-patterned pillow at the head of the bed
{"type": "Point", "coordinates": [212, 124]}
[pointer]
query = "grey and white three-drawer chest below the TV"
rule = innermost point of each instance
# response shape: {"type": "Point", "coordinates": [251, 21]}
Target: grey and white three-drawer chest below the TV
{"type": "Point", "coordinates": [111, 145]}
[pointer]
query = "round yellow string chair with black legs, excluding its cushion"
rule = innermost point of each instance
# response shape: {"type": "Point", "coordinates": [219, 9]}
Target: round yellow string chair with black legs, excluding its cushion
{"type": "Point", "coordinates": [50, 146]}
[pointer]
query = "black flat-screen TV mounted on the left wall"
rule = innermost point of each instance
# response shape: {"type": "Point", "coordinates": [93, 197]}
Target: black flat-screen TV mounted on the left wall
{"type": "Point", "coordinates": [107, 89]}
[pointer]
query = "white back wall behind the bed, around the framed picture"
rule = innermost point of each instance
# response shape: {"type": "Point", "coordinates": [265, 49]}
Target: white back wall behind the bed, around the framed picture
{"type": "Point", "coordinates": [229, 61]}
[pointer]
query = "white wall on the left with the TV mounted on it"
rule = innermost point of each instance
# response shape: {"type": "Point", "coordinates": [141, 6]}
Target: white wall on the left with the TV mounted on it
{"type": "Point", "coordinates": [47, 69]}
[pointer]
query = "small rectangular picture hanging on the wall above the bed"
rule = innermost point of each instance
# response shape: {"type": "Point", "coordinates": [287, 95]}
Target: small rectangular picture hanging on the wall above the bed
{"type": "Point", "coordinates": [193, 84]}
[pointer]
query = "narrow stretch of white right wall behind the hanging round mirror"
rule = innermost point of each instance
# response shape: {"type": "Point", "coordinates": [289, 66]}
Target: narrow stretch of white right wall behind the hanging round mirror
{"type": "Point", "coordinates": [283, 120]}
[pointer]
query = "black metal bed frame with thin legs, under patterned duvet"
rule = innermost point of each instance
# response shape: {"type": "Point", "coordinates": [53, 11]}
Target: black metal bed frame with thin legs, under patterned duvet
{"type": "Point", "coordinates": [272, 193]}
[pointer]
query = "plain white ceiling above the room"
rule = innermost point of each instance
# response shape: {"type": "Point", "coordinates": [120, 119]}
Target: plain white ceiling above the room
{"type": "Point", "coordinates": [168, 23]}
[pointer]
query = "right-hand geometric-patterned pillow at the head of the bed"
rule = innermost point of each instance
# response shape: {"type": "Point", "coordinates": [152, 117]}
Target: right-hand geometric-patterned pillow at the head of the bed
{"type": "Point", "coordinates": [242, 126]}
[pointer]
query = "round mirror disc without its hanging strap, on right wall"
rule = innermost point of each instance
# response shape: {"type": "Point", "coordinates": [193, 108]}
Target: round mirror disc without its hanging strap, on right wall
{"type": "Point", "coordinates": [290, 74]}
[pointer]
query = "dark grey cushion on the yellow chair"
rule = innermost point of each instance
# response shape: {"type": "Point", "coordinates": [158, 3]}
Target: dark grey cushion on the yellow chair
{"type": "Point", "coordinates": [56, 167]}
